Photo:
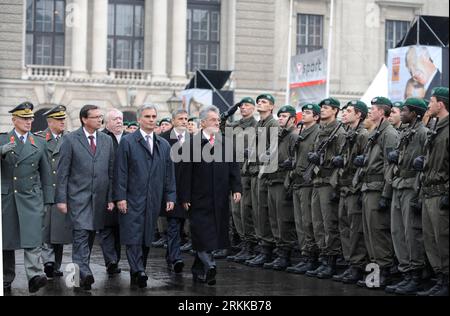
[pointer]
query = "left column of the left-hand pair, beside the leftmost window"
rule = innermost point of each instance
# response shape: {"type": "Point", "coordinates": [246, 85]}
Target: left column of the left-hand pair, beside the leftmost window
{"type": "Point", "coordinates": [79, 37]}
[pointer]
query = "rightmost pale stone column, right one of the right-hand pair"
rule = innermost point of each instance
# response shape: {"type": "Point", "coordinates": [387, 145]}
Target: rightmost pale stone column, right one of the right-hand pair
{"type": "Point", "coordinates": [179, 37]}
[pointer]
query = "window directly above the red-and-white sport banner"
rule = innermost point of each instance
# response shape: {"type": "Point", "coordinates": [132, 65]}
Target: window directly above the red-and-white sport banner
{"type": "Point", "coordinates": [309, 33]}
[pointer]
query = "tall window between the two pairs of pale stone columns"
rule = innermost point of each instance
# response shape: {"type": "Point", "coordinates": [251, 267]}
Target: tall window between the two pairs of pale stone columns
{"type": "Point", "coordinates": [126, 34]}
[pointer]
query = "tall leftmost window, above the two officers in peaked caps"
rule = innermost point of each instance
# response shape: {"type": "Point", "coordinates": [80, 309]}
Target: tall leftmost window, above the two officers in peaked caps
{"type": "Point", "coordinates": [45, 32]}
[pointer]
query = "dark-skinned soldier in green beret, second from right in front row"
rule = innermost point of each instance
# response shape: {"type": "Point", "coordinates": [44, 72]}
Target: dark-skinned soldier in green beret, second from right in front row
{"type": "Point", "coordinates": [406, 215]}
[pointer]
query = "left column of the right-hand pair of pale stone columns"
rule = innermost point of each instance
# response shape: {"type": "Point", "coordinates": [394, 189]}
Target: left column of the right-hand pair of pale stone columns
{"type": "Point", "coordinates": [159, 43]}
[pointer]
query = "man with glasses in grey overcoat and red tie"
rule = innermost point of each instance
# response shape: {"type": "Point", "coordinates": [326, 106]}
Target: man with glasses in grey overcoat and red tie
{"type": "Point", "coordinates": [84, 186]}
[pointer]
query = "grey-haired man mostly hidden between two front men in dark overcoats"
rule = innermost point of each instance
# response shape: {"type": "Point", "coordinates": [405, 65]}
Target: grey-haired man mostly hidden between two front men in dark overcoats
{"type": "Point", "coordinates": [176, 218]}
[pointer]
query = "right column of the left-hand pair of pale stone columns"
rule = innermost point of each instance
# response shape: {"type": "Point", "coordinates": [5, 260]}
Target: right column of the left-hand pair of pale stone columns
{"type": "Point", "coordinates": [100, 38]}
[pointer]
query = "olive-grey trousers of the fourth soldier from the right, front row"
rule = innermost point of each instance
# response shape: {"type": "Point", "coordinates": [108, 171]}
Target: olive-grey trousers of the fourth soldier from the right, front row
{"type": "Point", "coordinates": [352, 236]}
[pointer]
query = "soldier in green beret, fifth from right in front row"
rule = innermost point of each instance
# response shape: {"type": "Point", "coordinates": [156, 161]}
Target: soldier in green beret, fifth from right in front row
{"type": "Point", "coordinates": [325, 199]}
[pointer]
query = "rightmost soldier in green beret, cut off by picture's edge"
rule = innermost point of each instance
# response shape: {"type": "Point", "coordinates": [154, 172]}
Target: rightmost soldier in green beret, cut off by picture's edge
{"type": "Point", "coordinates": [435, 188]}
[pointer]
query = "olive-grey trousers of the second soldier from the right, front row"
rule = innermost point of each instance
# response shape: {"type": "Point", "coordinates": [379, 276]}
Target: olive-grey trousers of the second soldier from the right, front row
{"type": "Point", "coordinates": [406, 227]}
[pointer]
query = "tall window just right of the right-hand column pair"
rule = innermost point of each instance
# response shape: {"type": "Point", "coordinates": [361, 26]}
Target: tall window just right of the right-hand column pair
{"type": "Point", "coordinates": [203, 47]}
